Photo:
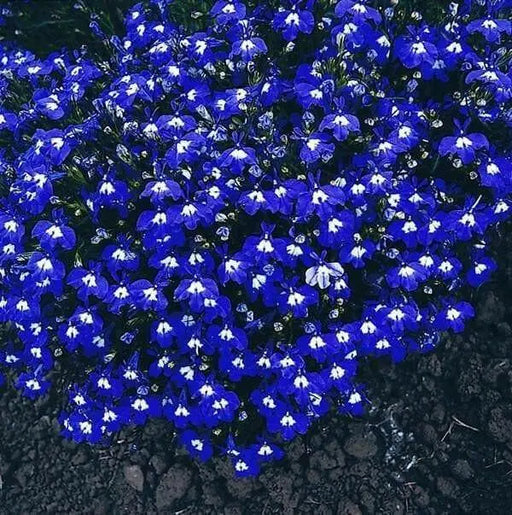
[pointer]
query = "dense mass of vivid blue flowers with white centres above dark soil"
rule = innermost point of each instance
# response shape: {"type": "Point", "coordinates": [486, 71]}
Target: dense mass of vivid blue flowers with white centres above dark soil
{"type": "Point", "coordinates": [216, 216]}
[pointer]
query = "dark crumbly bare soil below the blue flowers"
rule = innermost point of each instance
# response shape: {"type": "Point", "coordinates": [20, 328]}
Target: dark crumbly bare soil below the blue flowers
{"type": "Point", "coordinates": [437, 439]}
